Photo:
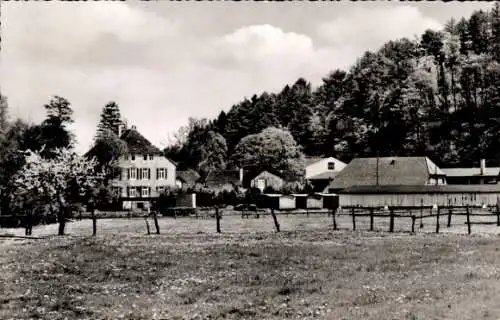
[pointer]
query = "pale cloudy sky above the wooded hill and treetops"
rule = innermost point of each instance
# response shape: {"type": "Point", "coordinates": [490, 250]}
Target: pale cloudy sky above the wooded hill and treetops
{"type": "Point", "coordinates": [164, 61]}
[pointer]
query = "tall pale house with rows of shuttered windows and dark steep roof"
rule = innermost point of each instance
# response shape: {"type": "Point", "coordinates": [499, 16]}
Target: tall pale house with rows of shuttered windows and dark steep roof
{"type": "Point", "coordinates": [144, 172]}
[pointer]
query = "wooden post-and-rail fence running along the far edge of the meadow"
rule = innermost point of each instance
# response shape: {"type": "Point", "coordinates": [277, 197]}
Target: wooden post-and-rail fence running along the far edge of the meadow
{"type": "Point", "coordinates": [439, 217]}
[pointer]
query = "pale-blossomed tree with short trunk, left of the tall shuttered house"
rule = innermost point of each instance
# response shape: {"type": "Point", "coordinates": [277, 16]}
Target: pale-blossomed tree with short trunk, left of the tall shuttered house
{"type": "Point", "coordinates": [55, 184]}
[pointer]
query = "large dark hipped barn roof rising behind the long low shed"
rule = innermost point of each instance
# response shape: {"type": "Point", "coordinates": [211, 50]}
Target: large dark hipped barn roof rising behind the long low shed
{"type": "Point", "coordinates": [391, 171]}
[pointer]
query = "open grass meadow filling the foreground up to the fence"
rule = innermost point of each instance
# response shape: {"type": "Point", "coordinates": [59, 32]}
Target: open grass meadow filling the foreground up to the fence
{"type": "Point", "coordinates": [249, 271]}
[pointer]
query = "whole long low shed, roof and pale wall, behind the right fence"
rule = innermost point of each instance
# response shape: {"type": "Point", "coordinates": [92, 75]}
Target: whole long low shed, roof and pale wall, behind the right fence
{"type": "Point", "coordinates": [419, 195]}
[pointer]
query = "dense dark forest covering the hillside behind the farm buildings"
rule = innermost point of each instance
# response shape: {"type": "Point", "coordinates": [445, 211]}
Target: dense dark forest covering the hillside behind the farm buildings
{"type": "Point", "coordinates": [437, 95]}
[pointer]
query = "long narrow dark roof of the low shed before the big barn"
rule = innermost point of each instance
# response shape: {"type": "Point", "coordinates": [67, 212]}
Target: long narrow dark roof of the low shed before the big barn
{"type": "Point", "coordinates": [398, 189]}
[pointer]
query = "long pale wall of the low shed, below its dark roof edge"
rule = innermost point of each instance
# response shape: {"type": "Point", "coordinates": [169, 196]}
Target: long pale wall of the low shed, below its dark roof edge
{"type": "Point", "coordinates": [415, 200]}
